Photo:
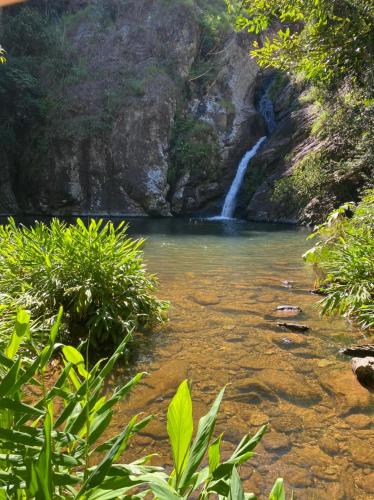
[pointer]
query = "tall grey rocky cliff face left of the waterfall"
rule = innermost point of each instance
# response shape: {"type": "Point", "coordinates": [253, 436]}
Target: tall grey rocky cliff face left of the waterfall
{"type": "Point", "coordinates": [145, 120]}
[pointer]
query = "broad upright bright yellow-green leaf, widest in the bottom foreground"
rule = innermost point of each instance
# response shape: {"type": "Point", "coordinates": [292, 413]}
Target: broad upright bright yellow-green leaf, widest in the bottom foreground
{"type": "Point", "coordinates": [180, 426]}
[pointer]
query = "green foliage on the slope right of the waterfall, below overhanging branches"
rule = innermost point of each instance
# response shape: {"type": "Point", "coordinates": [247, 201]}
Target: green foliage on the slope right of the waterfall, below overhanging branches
{"type": "Point", "coordinates": [344, 161]}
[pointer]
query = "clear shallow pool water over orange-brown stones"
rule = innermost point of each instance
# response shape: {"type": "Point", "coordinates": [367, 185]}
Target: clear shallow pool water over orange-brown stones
{"type": "Point", "coordinates": [224, 281]}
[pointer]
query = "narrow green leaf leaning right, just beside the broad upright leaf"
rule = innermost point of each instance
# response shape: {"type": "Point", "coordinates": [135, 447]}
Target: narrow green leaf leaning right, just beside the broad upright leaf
{"type": "Point", "coordinates": [201, 441]}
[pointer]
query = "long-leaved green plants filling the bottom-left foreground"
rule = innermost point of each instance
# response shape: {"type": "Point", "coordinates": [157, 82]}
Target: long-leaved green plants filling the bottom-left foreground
{"type": "Point", "coordinates": [47, 450]}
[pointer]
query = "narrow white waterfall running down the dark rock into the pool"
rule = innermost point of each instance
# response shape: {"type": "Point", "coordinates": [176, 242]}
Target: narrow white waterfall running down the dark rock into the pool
{"type": "Point", "coordinates": [267, 111]}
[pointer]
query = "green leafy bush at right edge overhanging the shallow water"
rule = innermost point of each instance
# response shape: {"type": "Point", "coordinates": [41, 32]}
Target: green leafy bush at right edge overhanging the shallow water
{"type": "Point", "coordinates": [343, 260]}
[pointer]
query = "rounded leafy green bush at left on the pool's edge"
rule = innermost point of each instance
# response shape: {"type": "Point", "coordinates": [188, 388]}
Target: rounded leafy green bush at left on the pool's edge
{"type": "Point", "coordinates": [96, 273]}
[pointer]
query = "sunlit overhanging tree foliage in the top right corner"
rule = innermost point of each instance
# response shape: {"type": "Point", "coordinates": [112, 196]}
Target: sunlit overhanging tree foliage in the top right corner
{"type": "Point", "coordinates": [324, 40]}
